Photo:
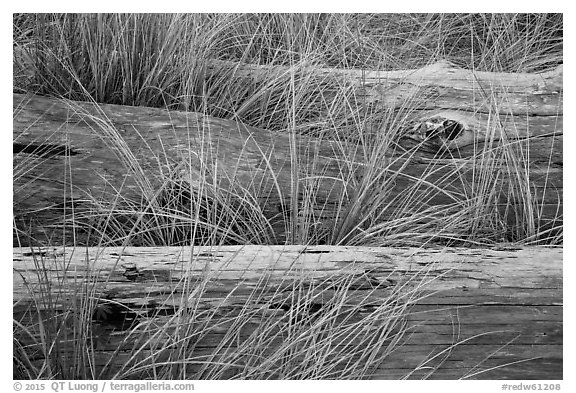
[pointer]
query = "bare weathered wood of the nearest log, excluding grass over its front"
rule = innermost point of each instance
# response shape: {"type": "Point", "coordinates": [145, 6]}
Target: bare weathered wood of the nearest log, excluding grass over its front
{"type": "Point", "coordinates": [469, 313]}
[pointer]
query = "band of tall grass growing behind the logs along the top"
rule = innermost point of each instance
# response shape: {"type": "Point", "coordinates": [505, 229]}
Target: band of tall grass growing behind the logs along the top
{"type": "Point", "coordinates": [162, 60]}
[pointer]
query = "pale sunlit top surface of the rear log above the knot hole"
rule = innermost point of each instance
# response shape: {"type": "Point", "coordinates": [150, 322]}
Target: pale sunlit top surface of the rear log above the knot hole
{"type": "Point", "coordinates": [440, 85]}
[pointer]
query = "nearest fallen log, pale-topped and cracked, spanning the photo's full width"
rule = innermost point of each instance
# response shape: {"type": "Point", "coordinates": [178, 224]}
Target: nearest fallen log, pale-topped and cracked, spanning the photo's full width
{"type": "Point", "coordinates": [444, 313]}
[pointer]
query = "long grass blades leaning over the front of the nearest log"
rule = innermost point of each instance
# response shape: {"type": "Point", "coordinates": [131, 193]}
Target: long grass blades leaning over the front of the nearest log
{"type": "Point", "coordinates": [272, 328]}
